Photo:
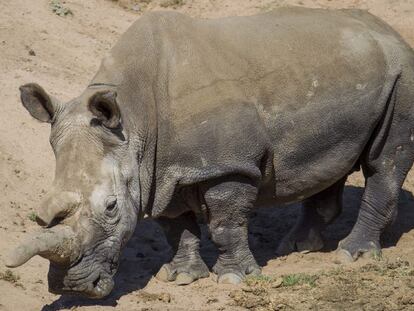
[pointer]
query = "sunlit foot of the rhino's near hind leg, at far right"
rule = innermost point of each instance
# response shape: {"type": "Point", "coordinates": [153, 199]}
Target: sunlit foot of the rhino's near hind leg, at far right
{"type": "Point", "coordinates": [353, 247]}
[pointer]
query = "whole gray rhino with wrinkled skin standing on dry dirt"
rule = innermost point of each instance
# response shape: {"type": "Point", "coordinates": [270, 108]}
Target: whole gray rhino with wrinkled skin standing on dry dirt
{"type": "Point", "coordinates": [215, 117]}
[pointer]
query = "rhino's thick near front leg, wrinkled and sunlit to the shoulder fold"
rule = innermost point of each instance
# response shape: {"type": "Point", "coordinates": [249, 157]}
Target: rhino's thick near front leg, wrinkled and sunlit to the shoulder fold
{"type": "Point", "coordinates": [228, 205]}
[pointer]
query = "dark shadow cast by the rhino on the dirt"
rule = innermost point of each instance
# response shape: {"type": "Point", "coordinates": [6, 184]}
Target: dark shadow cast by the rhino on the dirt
{"type": "Point", "coordinates": [147, 250]}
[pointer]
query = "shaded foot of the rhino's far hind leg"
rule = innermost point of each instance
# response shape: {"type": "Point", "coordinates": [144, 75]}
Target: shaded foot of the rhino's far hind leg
{"type": "Point", "coordinates": [300, 241]}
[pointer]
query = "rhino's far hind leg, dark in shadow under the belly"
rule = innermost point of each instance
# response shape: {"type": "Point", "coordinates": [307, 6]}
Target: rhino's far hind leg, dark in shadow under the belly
{"type": "Point", "coordinates": [317, 212]}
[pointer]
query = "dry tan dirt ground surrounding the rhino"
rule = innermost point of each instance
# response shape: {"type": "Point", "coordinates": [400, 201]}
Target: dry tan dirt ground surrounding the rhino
{"type": "Point", "coordinates": [61, 52]}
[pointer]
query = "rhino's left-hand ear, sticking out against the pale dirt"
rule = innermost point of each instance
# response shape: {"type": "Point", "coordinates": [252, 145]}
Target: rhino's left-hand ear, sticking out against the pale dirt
{"type": "Point", "coordinates": [39, 104]}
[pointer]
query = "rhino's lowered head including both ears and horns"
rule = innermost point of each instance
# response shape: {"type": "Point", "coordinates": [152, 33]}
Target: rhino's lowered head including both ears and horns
{"type": "Point", "coordinates": [91, 211]}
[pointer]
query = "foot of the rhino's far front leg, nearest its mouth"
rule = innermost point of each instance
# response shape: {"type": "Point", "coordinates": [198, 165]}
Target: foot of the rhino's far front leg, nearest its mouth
{"type": "Point", "coordinates": [182, 274]}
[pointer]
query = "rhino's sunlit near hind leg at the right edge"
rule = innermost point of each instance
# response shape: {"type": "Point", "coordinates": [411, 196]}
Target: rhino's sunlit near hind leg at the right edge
{"type": "Point", "coordinates": [385, 164]}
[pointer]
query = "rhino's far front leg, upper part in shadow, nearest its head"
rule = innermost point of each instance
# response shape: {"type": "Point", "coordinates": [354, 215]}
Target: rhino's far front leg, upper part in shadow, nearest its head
{"type": "Point", "coordinates": [183, 235]}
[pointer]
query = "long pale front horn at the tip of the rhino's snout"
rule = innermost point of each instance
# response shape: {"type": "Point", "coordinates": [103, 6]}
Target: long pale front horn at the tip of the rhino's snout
{"type": "Point", "coordinates": [58, 244]}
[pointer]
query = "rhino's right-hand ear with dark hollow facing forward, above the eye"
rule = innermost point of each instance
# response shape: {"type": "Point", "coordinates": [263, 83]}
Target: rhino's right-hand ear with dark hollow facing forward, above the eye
{"type": "Point", "coordinates": [104, 106]}
